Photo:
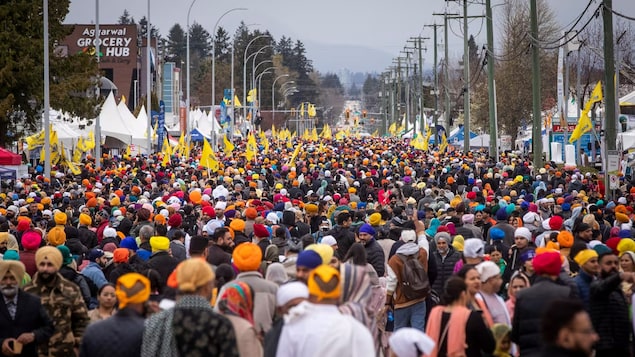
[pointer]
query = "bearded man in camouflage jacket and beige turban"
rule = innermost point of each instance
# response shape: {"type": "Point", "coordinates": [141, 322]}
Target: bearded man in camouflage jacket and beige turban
{"type": "Point", "coordinates": [63, 302]}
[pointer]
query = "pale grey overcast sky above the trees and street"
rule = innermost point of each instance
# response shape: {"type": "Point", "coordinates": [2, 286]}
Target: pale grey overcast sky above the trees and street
{"type": "Point", "coordinates": [353, 34]}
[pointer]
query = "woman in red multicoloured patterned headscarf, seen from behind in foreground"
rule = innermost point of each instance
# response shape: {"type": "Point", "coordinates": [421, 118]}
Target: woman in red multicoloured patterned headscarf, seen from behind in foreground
{"type": "Point", "coordinates": [237, 304]}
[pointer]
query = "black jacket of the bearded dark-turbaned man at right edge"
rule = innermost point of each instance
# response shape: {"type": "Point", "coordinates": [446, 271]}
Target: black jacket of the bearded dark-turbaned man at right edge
{"type": "Point", "coordinates": [609, 313]}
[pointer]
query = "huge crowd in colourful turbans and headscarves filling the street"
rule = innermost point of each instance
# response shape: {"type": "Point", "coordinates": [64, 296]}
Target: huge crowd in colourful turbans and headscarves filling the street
{"type": "Point", "coordinates": [351, 246]}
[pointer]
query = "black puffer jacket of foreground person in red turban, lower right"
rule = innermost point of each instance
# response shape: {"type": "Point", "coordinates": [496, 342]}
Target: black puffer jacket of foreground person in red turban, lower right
{"type": "Point", "coordinates": [530, 305]}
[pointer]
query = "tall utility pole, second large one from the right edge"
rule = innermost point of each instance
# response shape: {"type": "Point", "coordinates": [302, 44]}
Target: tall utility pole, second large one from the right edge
{"type": "Point", "coordinates": [535, 83]}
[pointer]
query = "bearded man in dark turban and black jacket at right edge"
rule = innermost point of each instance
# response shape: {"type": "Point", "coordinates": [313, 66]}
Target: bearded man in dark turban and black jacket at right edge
{"type": "Point", "coordinates": [609, 308]}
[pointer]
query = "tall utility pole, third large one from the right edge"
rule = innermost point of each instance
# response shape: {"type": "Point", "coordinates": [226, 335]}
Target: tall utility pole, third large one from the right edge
{"type": "Point", "coordinates": [493, 131]}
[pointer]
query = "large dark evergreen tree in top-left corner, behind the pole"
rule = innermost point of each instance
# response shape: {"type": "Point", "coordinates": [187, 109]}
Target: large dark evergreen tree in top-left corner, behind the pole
{"type": "Point", "coordinates": [21, 68]}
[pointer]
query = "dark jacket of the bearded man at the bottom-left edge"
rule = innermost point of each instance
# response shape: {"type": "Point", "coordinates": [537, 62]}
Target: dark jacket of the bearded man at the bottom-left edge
{"type": "Point", "coordinates": [30, 316]}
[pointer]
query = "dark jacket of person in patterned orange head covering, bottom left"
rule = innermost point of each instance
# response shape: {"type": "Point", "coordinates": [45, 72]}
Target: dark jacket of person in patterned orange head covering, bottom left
{"type": "Point", "coordinates": [120, 335]}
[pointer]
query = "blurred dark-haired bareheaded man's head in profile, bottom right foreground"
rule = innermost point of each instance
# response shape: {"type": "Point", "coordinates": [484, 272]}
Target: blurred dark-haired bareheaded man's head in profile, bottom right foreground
{"type": "Point", "coordinates": [567, 330]}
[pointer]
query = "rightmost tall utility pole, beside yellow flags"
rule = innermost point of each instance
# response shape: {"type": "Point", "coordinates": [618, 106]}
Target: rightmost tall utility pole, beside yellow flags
{"type": "Point", "coordinates": [610, 134]}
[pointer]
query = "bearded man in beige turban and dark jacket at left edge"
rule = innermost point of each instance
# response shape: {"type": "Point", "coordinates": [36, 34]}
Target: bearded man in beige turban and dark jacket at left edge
{"type": "Point", "coordinates": [29, 324]}
